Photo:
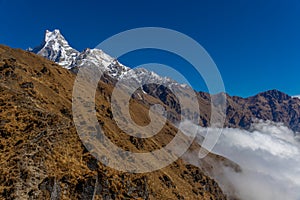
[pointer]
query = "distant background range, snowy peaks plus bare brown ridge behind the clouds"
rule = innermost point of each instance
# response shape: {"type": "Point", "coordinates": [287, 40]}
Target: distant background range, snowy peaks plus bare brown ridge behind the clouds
{"type": "Point", "coordinates": [271, 105]}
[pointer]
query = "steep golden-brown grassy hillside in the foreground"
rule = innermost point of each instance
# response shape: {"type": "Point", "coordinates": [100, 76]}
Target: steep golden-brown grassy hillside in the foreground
{"type": "Point", "coordinates": [42, 156]}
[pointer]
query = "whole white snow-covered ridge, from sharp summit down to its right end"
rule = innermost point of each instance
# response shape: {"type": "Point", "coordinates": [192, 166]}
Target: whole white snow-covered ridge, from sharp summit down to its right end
{"type": "Point", "coordinates": [56, 48]}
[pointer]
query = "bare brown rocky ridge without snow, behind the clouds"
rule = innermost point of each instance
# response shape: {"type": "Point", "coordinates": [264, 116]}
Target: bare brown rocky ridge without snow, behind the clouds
{"type": "Point", "coordinates": [271, 105]}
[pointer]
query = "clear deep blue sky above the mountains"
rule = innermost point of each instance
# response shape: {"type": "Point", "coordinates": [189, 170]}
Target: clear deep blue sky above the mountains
{"type": "Point", "coordinates": [255, 44]}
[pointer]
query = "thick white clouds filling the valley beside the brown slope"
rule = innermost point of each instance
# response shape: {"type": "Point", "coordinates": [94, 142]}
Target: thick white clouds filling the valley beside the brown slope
{"type": "Point", "coordinates": [269, 156]}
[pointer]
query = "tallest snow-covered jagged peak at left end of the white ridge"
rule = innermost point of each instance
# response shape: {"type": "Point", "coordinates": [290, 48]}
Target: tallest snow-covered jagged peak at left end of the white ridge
{"type": "Point", "coordinates": [56, 48]}
